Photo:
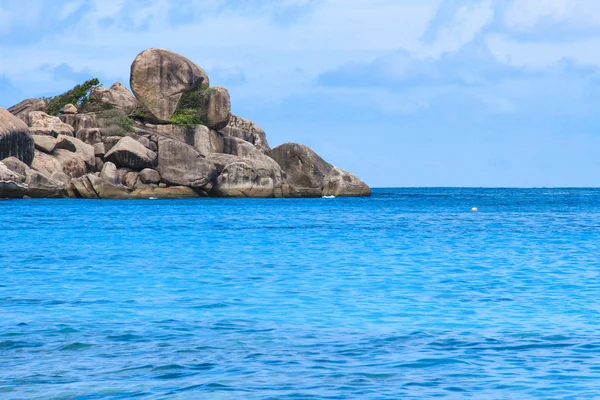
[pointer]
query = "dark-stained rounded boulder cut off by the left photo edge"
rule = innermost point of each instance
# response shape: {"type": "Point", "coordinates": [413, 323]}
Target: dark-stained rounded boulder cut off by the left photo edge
{"type": "Point", "coordinates": [15, 139]}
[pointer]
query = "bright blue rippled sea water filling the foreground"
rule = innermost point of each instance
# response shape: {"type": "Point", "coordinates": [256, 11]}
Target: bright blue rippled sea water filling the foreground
{"type": "Point", "coordinates": [407, 294]}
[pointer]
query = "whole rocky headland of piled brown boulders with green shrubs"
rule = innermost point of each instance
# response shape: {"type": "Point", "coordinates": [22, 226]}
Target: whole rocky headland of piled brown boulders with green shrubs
{"type": "Point", "coordinates": [173, 137]}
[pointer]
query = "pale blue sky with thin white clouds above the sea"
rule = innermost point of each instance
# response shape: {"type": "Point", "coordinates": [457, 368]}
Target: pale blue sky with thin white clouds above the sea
{"type": "Point", "coordinates": [403, 93]}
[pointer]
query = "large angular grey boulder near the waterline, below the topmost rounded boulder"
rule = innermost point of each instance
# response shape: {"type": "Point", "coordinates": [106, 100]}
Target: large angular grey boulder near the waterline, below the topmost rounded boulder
{"type": "Point", "coordinates": [181, 165]}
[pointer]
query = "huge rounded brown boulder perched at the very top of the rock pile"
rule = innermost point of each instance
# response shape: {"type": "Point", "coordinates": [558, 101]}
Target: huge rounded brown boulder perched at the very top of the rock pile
{"type": "Point", "coordinates": [160, 77]}
